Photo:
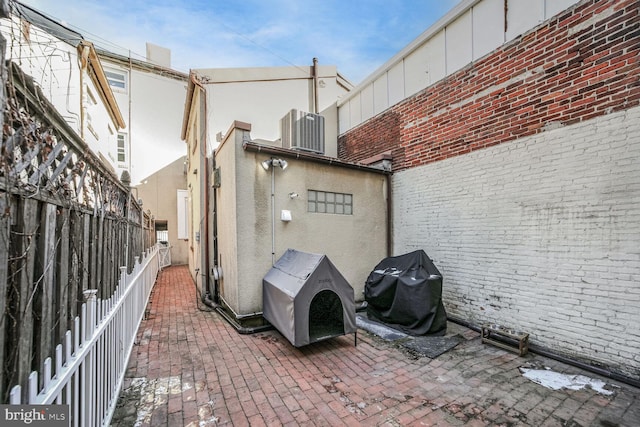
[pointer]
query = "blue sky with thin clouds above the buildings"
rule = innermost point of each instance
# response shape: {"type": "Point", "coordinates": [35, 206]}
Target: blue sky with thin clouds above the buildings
{"type": "Point", "coordinates": [357, 36]}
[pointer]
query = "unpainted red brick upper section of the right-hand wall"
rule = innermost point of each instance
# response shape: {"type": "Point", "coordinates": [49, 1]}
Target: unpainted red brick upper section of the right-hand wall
{"type": "Point", "coordinates": [582, 64]}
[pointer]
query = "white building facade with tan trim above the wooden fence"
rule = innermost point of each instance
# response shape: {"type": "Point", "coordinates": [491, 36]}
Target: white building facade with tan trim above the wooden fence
{"type": "Point", "coordinates": [67, 69]}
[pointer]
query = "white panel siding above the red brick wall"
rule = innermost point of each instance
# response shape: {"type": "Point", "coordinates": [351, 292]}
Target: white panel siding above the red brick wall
{"type": "Point", "coordinates": [470, 31]}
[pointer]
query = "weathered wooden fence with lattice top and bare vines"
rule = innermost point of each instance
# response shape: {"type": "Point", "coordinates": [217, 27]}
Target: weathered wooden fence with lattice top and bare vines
{"type": "Point", "coordinates": [66, 225]}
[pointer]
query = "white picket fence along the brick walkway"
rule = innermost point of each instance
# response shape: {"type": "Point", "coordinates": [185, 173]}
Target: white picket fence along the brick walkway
{"type": "Point", "coordinates": [90, 366]}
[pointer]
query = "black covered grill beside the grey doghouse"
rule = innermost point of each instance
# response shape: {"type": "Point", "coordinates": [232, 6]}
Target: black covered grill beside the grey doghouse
{"type": "Point", "coordinates": [405, 292]}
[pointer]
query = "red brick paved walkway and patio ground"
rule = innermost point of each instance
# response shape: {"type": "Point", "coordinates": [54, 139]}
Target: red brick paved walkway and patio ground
{"type": "Point", "coordinates": [190, 368]}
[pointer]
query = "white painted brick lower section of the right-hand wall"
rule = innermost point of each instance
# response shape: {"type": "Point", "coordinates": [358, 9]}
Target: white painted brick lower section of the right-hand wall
{"type": "Point", "coordinates": [541, 234]}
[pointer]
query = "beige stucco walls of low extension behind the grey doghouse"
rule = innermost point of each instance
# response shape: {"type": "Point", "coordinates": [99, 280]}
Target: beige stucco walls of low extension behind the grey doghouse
{"type": "Point", "coordinates": [354, 243]}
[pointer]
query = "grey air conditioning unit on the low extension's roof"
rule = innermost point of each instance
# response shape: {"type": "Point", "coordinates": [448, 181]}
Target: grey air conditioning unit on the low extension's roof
{"type": "Point", "coordinates": [303, 131]}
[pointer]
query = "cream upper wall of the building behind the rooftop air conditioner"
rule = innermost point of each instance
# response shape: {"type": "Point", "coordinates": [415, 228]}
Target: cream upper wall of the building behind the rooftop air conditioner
{"type": "Point", "coordinates": [263, 95]}
